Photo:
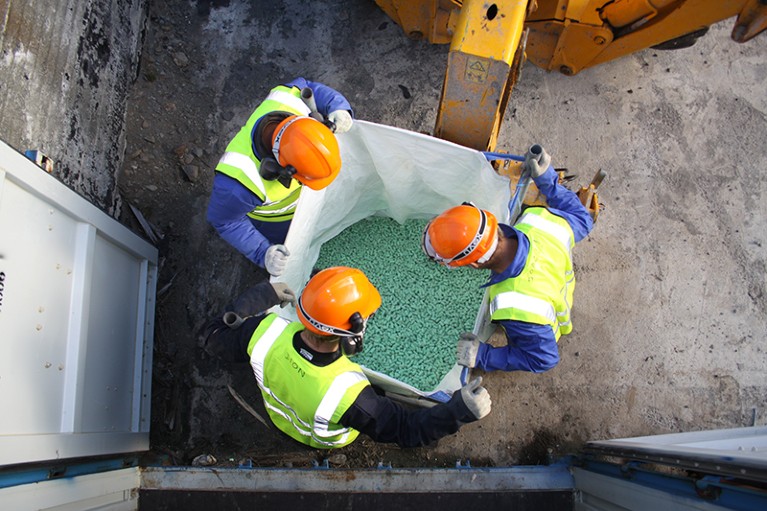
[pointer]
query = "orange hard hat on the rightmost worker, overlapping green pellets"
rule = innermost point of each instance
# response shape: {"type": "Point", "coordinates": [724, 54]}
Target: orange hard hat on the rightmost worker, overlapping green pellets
{"type": "Point", "coordinates": [461, 235]}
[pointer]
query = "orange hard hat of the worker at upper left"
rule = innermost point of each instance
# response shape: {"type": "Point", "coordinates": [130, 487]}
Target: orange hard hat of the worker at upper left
{"type": "Point", "coordinates": [310, 147]}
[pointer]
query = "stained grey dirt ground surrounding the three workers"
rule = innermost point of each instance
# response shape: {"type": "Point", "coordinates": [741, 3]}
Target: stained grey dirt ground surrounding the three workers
{"type": "Point", "coordinates": [670, 309]}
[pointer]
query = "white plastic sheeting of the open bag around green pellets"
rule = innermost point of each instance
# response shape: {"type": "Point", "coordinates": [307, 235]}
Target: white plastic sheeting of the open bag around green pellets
{"type": "Point", "coordinates": [402, 175]}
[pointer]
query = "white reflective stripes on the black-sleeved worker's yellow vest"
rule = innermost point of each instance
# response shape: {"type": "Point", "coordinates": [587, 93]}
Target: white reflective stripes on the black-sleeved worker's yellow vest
{"type": "Point", "coordinates": [319, 431]}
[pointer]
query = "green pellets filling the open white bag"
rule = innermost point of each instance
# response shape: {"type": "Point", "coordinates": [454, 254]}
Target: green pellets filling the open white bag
{"type": "Point", "coordinates": [425, 306]}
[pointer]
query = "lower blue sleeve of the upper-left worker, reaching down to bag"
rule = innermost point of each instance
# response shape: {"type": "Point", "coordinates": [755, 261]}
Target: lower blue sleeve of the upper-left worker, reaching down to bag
{"type": "Point", "coordinates": [230, 202]}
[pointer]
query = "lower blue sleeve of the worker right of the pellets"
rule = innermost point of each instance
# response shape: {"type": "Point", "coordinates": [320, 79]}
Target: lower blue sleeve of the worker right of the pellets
{"type": "Point", "coordinates": [530, 347]}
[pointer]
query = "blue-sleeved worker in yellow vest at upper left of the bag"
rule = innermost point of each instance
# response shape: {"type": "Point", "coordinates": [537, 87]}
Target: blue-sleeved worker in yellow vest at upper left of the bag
{"type": "Point", "coordinates": [288, 142]}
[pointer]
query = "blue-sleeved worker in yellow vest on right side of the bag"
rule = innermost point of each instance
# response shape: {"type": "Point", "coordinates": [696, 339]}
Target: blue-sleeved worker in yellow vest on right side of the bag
{"type": "Point", "coordinates": [531, 281]}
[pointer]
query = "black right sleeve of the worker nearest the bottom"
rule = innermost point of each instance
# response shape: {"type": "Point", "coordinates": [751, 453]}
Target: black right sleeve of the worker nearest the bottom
{"type": "Point", "coordinates": [384, 420]}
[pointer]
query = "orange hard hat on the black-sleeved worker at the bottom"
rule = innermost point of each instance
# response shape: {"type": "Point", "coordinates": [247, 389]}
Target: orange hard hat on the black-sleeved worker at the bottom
{"type": "Point", "coordinates": [332, 297]}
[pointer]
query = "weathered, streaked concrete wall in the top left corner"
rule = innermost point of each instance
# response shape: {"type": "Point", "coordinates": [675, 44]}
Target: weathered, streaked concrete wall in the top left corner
{"type": "Point", "coordinates": [65, 72]}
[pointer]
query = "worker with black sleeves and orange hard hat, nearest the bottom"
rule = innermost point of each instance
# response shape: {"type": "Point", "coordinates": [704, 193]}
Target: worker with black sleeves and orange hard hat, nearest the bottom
{"type": "Point", "coordinates": [312, 390]}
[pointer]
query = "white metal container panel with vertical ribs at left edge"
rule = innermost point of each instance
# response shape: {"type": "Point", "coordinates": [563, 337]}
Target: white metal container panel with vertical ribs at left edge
{"type": "Point", "coordinates": [77, 300]}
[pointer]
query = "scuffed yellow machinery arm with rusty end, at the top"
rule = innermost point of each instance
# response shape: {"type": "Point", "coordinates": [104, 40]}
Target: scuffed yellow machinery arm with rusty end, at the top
{"type": "Point", "coordinates": [489, 42]}
